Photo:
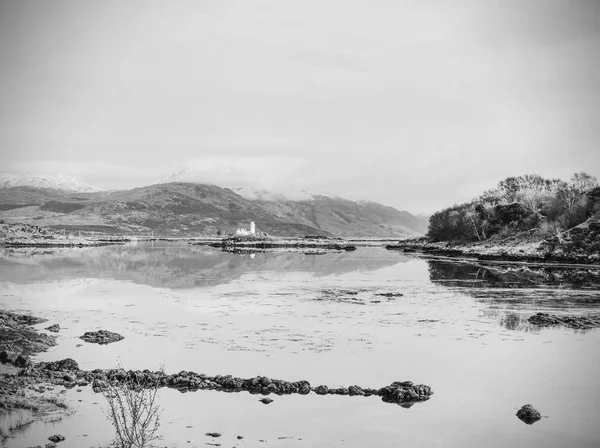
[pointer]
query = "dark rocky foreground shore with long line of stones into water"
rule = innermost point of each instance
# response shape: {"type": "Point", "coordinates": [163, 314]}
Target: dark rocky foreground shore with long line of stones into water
{"type": "Point", "coordinates": [20, 374]}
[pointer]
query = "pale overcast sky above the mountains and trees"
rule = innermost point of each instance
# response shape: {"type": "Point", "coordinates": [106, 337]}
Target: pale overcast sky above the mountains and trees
{"type": "Point", "coordinates": [415, 104]}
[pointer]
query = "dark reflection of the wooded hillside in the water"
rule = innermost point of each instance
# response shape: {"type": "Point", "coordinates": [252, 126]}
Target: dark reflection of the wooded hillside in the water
{"type": "Point", "coordinates": [512, 293]}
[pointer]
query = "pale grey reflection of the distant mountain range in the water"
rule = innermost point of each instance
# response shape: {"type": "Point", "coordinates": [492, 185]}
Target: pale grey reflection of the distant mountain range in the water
{"type": "Point", "coordinates": [180, 265]}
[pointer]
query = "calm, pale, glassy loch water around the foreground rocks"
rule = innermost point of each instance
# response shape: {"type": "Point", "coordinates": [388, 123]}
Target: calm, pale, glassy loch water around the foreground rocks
{"type": "Point", "coordinates": [459, 327]}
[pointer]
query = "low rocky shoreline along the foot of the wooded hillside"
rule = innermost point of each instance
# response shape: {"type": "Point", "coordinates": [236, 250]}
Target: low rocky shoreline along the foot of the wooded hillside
{"type": "Point", "coordinates": [529, 253]}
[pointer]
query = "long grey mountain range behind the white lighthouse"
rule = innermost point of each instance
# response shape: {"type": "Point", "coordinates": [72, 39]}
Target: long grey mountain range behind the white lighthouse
{"type": "Point", "coordinates": [193, 209]}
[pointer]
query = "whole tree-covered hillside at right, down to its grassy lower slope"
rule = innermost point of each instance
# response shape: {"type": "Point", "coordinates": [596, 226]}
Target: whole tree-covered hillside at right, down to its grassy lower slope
{"type": "Point", "coordinates": [557, 217]}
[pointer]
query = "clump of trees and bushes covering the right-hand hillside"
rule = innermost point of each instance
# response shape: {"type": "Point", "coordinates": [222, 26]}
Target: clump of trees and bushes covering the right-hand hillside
{"type": "Point", "coordinates": [523, 203]}
